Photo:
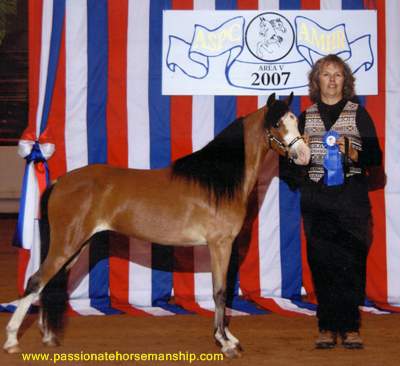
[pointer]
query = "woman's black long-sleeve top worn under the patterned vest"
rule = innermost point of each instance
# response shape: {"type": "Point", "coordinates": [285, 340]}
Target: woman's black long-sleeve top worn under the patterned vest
{"type": "Point", "coordinates": [370, 156]}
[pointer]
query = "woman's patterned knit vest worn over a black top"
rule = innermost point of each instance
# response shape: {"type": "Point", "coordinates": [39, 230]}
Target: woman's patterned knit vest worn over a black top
{"type": "Point", "coordinates": [345, 125]}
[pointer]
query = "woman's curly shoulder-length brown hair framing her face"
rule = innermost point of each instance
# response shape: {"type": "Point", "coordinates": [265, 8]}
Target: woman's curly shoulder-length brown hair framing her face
{"type": "Point", "coordinates": [313, 78]}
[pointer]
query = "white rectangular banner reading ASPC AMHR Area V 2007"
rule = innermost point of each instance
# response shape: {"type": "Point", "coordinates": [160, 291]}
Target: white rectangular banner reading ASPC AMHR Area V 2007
{"type": "Point", "coordinates": [251, 52]}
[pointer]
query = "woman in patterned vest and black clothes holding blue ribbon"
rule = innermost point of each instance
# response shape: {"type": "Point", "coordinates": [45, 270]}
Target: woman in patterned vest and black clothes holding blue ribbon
{"type": "Point", "coordinates": [336, 211]}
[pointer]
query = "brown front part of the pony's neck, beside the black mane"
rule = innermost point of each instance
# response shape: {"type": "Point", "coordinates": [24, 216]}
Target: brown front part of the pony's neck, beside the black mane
{"type": "Point", "coordinates": [256, 147]}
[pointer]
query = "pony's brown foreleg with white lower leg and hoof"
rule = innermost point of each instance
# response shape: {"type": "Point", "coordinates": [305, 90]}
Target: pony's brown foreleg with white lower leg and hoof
{"type": "Point", "coordinates": [220, 253]}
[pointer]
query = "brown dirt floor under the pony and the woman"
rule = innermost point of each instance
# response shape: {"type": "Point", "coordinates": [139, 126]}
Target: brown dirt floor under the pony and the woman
{"type": "Point", "coordinates": [267, 340]}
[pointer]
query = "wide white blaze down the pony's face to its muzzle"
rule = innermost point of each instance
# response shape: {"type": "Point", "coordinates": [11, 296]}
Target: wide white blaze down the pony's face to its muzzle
{"type": "Point", "coordinates": [299, 151]}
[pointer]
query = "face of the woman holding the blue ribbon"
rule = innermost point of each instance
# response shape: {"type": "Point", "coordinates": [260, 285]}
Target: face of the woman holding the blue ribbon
{"type": "Point", "coordinates": [331, 80]}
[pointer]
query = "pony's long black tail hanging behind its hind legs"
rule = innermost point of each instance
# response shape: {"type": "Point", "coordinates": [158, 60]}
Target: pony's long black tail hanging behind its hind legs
{"type": "Point", "coordinates": [54, 296]}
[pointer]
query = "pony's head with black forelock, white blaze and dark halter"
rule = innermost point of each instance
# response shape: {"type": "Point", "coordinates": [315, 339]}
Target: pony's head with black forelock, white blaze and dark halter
{"type": "Point", "coordinates": [282, 130]}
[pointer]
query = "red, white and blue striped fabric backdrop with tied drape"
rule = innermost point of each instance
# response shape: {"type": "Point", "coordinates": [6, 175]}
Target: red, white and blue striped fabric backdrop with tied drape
{"type": "Point", "coordinates": [95, 93]}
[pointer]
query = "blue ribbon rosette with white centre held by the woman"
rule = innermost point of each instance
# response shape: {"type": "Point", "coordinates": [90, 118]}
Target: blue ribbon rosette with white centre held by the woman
{"type": "Point", "coordinates": [332, 163]}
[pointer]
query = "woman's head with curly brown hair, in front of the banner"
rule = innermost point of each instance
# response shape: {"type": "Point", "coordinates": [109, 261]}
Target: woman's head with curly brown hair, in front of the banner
{"type": "Point", "coordinates": [330, 80]}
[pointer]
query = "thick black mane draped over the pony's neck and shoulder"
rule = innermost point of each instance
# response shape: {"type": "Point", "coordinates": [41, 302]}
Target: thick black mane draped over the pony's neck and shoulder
{"type": "Point", "coordinates": [218, 166]}
